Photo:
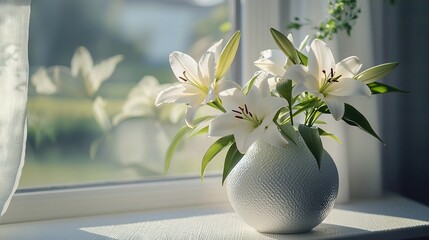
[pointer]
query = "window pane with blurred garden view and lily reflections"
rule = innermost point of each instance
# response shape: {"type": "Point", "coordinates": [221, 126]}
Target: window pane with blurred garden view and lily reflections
{"type": "Point", "coordinates": [97, 122]}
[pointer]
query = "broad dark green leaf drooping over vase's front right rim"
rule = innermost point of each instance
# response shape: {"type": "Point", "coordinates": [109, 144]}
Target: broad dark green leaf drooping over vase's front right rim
{"type": "Point", "coordinates": [312, 140]}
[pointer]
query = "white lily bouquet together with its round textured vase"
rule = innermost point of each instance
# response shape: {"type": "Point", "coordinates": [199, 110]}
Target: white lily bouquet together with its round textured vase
{"type": "Point", "coordinates": [279, 109]}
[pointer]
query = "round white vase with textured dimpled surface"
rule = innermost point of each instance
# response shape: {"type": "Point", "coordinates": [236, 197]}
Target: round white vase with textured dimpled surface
{"type": "Point", "coordinates": [282, 190]}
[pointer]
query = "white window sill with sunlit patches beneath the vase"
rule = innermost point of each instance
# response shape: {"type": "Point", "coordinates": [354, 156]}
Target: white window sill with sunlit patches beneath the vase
{"type": "Point", "coordinates": [390, 217]}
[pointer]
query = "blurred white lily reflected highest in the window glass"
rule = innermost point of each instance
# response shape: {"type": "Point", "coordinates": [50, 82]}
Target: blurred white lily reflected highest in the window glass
{"type": "Point", "coordinates": [93, 75]}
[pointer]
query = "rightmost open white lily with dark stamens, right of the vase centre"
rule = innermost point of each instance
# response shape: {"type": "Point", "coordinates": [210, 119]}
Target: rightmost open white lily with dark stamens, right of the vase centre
{"type": "Point", "coordinates": [329, 81]}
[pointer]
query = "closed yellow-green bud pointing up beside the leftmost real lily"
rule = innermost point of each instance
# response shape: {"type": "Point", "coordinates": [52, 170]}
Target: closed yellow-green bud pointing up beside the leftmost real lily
{"type": "Point", "coordinates": [227, 56]}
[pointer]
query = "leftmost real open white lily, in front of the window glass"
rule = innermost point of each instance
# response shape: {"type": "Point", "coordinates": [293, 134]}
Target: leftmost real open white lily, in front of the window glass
{"type": "Point", "coordinates": [198, 85]}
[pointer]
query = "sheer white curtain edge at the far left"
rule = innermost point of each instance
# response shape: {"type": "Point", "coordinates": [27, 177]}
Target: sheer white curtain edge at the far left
{"type": "Point", "coordinates": [14, 18]}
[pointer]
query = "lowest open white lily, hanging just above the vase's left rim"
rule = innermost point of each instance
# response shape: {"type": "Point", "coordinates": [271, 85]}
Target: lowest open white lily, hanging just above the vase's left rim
{"type": "Point", "coordinates": [248, 117]}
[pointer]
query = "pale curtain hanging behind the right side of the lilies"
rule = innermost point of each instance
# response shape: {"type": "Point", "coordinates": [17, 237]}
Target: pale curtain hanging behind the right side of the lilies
{"type": "Point", "coordinates": [358, 158]}
